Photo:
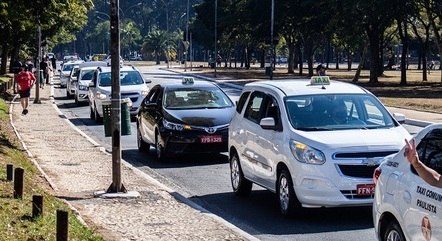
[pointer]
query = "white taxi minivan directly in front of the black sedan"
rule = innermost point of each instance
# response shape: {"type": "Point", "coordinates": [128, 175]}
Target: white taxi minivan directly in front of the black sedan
{"type": "Point", "coordinates": [313, 142]}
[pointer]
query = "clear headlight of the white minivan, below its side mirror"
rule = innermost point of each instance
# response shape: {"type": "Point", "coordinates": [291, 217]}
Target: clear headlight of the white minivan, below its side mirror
{"type": "Point", "coordinates": [306, 154]}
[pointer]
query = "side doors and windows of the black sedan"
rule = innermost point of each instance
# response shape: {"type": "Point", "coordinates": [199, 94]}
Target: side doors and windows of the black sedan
{"type": "Point", "coordinates": [150, 113]}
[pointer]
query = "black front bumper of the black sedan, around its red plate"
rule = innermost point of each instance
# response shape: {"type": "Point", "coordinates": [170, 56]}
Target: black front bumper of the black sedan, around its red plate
{"type": "Point", "coordinates": [181, 142]}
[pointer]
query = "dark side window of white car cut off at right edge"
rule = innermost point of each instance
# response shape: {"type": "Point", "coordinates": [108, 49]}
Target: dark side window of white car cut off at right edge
{"type": "Point", "coordinates": [430, 150]}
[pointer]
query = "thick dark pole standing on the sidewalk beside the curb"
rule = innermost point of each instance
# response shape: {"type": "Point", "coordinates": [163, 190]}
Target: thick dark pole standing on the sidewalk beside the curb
{"type": "Point", "coordinates": [116, 185]}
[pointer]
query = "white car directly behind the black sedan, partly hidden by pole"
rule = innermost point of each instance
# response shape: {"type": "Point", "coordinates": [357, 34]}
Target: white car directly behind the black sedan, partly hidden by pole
{"type": "Point", "coordinates": [132, 86]}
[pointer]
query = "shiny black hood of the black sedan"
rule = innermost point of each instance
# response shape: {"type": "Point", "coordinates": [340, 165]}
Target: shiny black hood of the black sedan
{"type": "Point", "coordinates": [200, 117]}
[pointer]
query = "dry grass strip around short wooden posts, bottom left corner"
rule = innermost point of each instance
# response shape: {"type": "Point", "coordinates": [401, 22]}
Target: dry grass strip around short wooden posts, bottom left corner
{"type": "Point", "coordinates": [16, 222]}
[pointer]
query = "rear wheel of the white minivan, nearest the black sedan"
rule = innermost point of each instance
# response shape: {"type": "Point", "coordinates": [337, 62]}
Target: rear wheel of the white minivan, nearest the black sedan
{"type": "Point", "coordinates": [240, 185]}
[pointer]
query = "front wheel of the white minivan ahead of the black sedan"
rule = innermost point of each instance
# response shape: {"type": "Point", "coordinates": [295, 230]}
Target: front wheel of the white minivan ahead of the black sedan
{"type": "Point", "coordinates": [287, 200]}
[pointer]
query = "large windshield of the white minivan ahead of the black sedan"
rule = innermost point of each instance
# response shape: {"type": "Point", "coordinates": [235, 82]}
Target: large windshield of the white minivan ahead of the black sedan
{"type": "Point", "coordinates": [337, 111]}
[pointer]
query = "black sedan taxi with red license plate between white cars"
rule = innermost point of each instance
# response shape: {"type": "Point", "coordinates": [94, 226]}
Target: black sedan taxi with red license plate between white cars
{"type": "Point", "coordinates": [184, 117]}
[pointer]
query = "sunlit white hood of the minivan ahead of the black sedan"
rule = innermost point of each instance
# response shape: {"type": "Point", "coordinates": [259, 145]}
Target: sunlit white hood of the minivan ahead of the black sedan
{"type": "Point", "coordinates": [371, 139]}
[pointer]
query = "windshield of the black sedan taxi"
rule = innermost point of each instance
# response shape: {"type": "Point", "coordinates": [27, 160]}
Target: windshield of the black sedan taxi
{"type": "Point", "coordinates": [196, 98]}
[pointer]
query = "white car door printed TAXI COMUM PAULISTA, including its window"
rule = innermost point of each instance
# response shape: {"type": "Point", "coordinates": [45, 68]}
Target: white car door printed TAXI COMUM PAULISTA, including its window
{"type": "Point", "coordinates": [423, 216]}
